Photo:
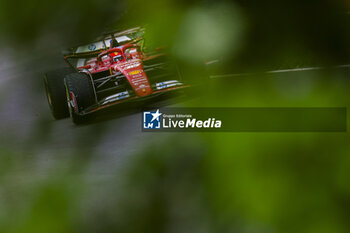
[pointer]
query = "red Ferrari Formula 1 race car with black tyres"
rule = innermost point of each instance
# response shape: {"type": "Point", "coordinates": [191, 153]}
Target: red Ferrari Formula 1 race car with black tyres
{"type": "Point", "coordinates": [112, 70]}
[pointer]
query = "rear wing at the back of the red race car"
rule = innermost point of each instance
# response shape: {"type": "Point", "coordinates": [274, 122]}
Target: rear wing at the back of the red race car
{"type": "Point", "coordinates": [133, 35]}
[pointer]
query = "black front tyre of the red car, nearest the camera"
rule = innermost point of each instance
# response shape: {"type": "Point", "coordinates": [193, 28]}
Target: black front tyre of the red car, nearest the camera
{"type": "Point", "coordinates": [81, 86]}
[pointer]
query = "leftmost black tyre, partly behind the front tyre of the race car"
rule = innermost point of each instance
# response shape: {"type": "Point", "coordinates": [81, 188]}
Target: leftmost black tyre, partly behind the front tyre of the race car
{"type": "Point", "coordinates": [56, 93]}
